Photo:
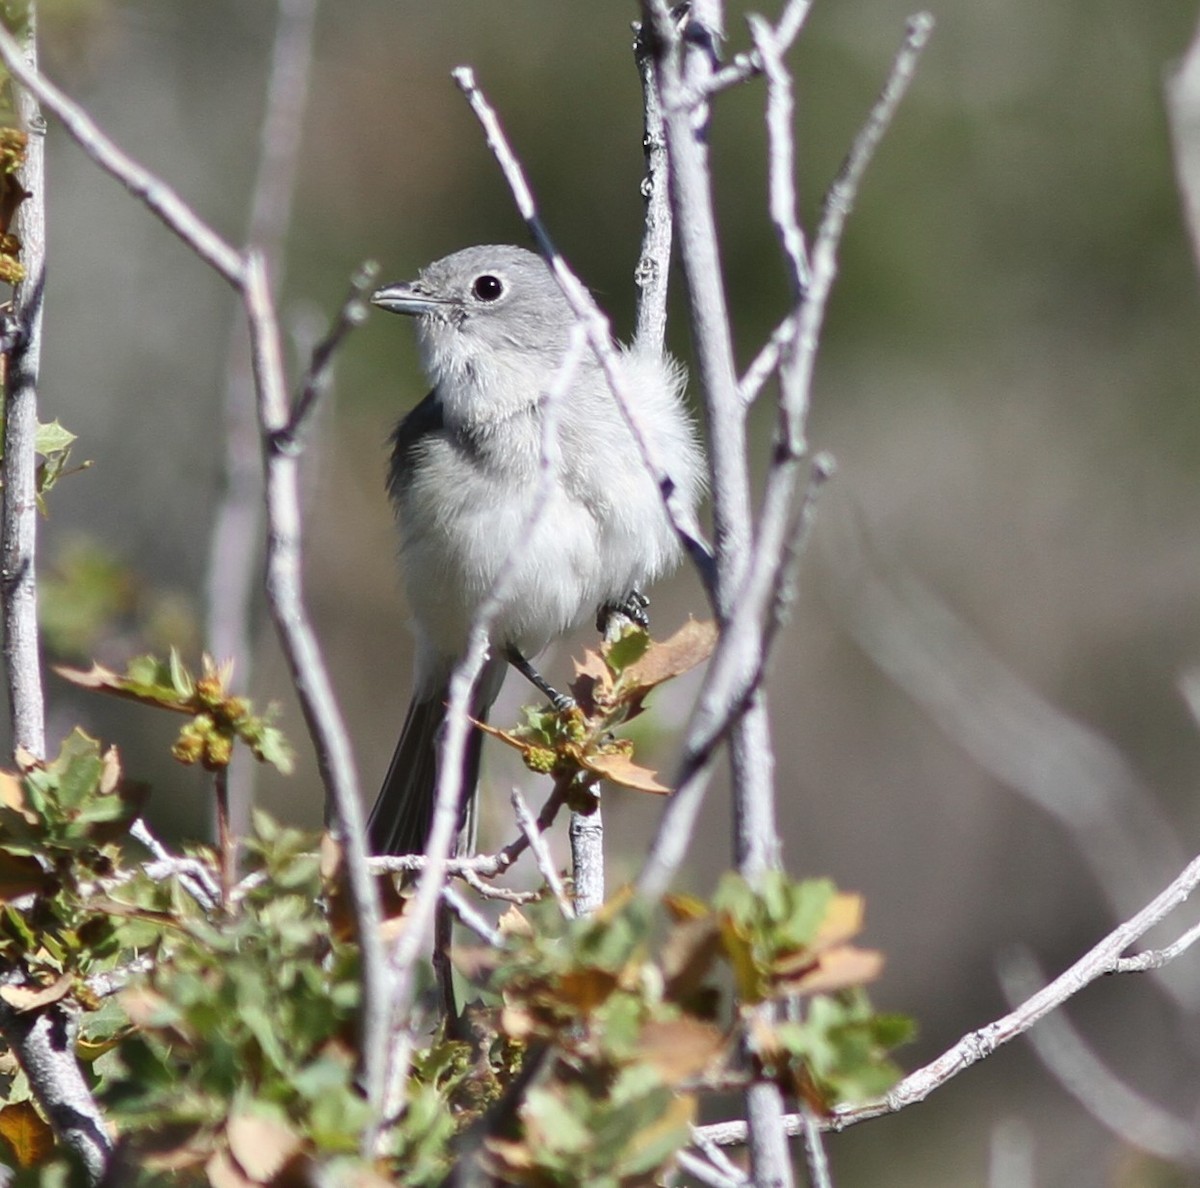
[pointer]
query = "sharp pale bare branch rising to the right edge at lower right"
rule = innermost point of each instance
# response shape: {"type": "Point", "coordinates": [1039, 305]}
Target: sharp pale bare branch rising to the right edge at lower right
{"type": "Point", "coordinates": [1102, 959]}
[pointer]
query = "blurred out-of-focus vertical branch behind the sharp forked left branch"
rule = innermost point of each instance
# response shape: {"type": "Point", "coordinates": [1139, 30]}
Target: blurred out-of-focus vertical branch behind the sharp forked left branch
{"type": "Point", "coordinates": [236, 548]}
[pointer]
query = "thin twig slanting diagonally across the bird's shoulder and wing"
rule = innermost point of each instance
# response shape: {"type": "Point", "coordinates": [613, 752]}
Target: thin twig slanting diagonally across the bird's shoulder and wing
{"type": "Point", "coordinates": [683, 518]}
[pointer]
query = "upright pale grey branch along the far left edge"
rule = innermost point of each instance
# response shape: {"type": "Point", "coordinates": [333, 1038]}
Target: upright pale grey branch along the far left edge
{"type": "Point", "coordinates": [19, 533]}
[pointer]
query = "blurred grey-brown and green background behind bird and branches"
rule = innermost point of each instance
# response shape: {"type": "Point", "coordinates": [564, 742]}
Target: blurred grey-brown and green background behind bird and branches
{"type": "Point", "coordinates": [979, 703]}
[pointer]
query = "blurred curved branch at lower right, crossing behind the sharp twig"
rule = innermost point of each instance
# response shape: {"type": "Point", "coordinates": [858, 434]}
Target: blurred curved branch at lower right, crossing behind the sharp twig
{"type": "Point", "coordinates": [1075, 1065]}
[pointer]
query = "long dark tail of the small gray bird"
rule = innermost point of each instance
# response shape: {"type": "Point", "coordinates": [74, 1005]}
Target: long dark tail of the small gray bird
{"type": "Point", "coordinates": [404, 812]}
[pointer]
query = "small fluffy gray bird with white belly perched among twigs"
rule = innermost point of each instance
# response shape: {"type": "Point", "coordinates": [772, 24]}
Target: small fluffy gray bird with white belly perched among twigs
{"type": "Point", "coordinates": [494, 328]}
